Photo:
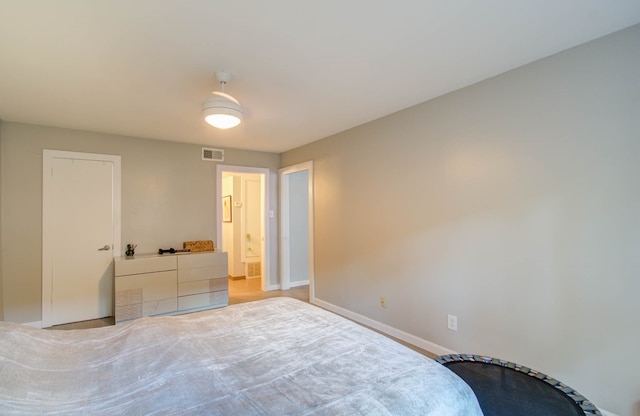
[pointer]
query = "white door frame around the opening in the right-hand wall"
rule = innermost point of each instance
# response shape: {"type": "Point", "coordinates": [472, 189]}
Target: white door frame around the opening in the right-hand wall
{"type": "Point", "coordinates": [285, 246]}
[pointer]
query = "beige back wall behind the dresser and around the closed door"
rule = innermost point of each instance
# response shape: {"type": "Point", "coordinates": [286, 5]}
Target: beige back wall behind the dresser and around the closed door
{"type": "Point", "coordinates": [168, 196]}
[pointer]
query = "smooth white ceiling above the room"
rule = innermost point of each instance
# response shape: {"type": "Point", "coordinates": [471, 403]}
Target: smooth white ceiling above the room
{"type": "Point", "coordinates": [303, 70]}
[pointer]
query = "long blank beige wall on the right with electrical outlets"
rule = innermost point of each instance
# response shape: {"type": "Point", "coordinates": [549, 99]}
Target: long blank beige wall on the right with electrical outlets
{"type": "Point", "coordinates": [512, 204]}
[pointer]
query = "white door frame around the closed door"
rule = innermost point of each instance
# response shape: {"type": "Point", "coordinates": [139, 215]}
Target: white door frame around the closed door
{"type": "Point", "coordinates": [47, 221]}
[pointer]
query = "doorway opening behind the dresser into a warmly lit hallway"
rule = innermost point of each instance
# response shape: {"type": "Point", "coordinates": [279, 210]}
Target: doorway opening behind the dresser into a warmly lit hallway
{"type": "Point", "coordinates": [245, 233]}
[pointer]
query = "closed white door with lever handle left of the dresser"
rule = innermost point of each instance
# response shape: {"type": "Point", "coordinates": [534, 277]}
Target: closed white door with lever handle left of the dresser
{"type": "Point", "coordinates": [80, 235]}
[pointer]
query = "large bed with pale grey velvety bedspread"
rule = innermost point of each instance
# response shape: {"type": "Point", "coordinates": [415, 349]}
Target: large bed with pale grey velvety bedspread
{"type": "Point", "coordinates": [278, 356]}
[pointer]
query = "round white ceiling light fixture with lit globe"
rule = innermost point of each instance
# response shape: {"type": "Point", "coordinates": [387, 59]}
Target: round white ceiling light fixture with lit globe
{"type": "Point", "coordinates": [222, 110]}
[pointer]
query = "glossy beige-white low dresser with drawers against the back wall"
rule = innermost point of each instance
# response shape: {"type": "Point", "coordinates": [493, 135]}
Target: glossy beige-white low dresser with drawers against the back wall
{"type": "Point", "coordinates": [169, 284]}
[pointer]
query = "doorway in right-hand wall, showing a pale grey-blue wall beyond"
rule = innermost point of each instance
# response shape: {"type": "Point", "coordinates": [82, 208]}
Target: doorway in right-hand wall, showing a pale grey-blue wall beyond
{"type": "Point", "coordinates": [296, 225]}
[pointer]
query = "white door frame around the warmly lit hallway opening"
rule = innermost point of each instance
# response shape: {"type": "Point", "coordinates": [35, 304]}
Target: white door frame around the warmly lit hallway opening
{"type": "Point", "coordinates": [265, 214]}
